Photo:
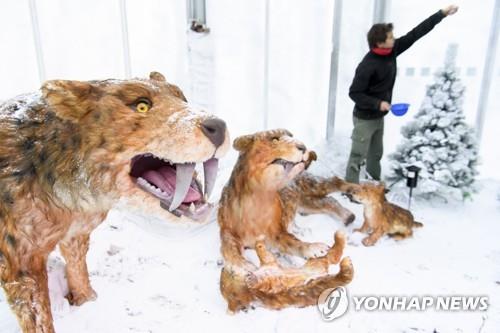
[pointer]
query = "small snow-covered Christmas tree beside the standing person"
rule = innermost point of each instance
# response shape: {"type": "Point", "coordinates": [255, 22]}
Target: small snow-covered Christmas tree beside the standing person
{"type": "Point", "coordinates": [438, 140]}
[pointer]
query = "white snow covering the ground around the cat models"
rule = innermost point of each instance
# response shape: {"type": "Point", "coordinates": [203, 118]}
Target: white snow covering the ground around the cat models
{"type": "Point", "coordinates": [156, 278]}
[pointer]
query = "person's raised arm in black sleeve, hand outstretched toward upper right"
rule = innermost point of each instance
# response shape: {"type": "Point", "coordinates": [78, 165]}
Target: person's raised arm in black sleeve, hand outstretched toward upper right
{"type": "Point", "coordinates": [403, 43]}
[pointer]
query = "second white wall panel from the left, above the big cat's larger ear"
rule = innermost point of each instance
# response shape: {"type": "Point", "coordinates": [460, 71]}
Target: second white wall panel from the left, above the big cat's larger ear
{"type": "Point", "coordinates": [81, 39]}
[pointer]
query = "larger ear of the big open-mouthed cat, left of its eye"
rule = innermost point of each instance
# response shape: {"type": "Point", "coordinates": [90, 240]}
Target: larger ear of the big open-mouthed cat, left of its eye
{"type": "Point", "coordinates": [71, 99]}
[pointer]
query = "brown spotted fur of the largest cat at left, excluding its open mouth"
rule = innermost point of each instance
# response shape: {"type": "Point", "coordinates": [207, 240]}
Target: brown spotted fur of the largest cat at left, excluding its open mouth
{"type": "Point", "coordinates": [65, 161]}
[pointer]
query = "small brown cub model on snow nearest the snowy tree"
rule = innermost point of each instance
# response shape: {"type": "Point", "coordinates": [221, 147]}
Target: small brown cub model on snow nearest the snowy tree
{"type": "Point", "coordinates": [380, 216]}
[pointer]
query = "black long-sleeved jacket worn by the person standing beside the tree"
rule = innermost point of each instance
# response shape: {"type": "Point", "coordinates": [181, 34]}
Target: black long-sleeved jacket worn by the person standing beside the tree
{"type": "Point", "coordinates": [376, 74]}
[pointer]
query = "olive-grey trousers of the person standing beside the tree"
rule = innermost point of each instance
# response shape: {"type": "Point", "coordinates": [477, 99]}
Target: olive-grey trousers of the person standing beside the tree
{"type": "Point", "coordinates": [367, 144]}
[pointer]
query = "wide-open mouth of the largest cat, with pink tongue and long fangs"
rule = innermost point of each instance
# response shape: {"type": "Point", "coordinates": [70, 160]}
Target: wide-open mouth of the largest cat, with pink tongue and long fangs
{"type": "Point", "coordinates": [175, 184]}
